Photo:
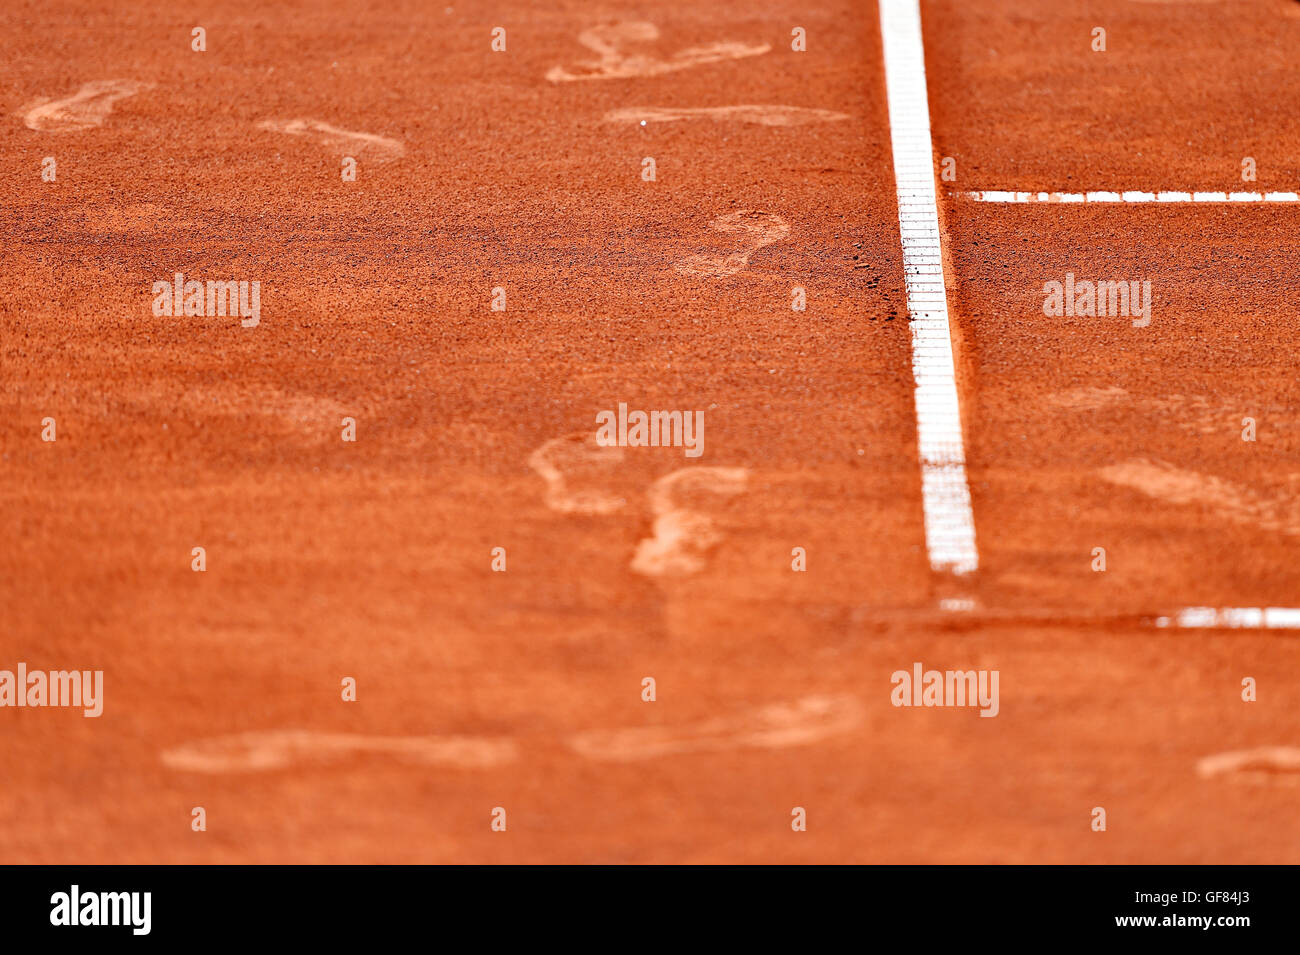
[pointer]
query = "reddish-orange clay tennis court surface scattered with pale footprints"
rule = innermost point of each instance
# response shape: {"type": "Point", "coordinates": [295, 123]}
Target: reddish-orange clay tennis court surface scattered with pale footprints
{"type": "Point", "coordinates": [523, 689]}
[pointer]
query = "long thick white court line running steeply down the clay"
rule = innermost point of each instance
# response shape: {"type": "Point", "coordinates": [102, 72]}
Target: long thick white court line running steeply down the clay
{"type": "Point", "coordinates": [946, 494]}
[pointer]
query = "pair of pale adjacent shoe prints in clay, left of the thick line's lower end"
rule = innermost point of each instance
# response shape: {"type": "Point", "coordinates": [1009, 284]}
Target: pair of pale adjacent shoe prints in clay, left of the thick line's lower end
{"type": "Point", "coordinates": [682, 536]}
